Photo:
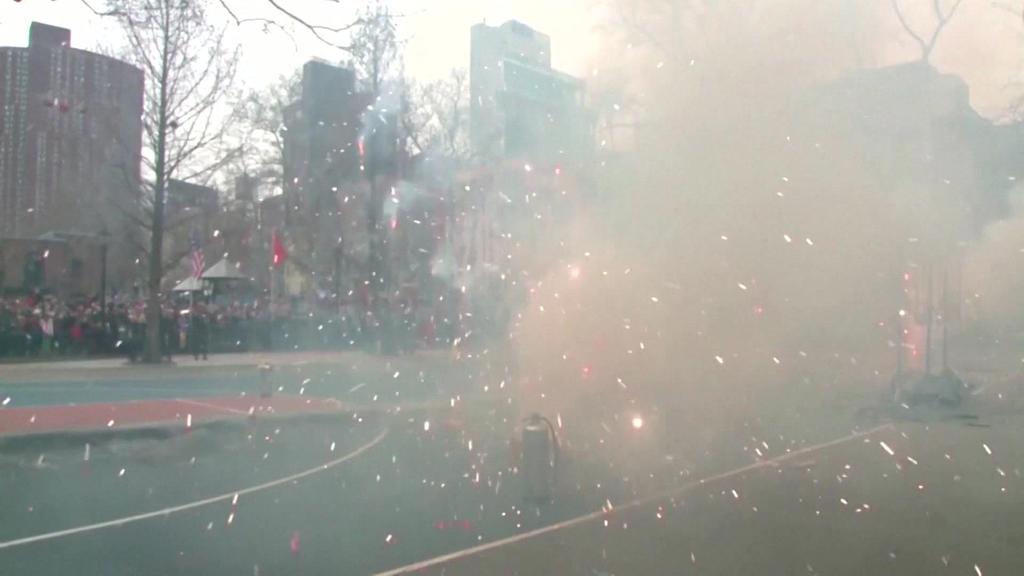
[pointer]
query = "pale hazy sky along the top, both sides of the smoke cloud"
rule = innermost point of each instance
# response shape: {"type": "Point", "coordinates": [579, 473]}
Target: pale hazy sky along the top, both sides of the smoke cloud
{"type": "Point", "coordinates": [985, 45]}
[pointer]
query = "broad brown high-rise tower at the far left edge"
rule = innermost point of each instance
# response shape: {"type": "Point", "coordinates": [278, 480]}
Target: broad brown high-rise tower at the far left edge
{"type": "Point", "coordinates": [71, 135]}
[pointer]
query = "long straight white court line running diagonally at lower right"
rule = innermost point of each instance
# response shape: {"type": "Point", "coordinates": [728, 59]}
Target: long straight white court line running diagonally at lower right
{"type": "Point", "coordinates": [647, 501]}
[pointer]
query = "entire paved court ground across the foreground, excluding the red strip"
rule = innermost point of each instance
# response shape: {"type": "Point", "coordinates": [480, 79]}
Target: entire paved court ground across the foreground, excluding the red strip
{"type": "Point", "coordinates": [433, 473]}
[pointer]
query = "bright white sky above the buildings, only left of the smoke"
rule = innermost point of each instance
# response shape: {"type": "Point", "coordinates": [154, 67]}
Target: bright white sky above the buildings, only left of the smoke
{"type": "Point", "coordinates": [438, 31]}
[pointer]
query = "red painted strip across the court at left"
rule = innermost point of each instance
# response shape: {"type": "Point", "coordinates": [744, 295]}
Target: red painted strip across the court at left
{"type": "Point", "coordinates": [157, 414]}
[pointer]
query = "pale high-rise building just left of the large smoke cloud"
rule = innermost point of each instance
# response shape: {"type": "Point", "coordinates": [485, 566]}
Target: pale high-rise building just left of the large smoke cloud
{"type": "Point", "coordinates": [521, 107]}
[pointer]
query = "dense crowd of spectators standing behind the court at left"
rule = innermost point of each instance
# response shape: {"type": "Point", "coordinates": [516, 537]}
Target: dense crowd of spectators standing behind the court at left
{"type": "Point", "coordinates": [45, 326]}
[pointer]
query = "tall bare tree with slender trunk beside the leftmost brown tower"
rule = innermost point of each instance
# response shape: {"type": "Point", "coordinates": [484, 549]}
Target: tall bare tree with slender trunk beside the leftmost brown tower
{"type": "Point", "coordinates": [189, 72]}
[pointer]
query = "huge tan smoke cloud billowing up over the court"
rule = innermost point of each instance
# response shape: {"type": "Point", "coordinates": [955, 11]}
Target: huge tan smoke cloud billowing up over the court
{"type": "Point", "coordinates": [743, 266]}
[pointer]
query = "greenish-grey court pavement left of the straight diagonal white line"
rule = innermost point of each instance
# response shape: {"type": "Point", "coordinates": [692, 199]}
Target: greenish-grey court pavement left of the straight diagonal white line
{"type": "Point", "coordinates": [419, 468]}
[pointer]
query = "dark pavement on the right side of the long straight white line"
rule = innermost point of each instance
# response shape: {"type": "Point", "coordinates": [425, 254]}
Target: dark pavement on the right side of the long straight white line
{"type": "Point", "coordinates": [912, 500]}
